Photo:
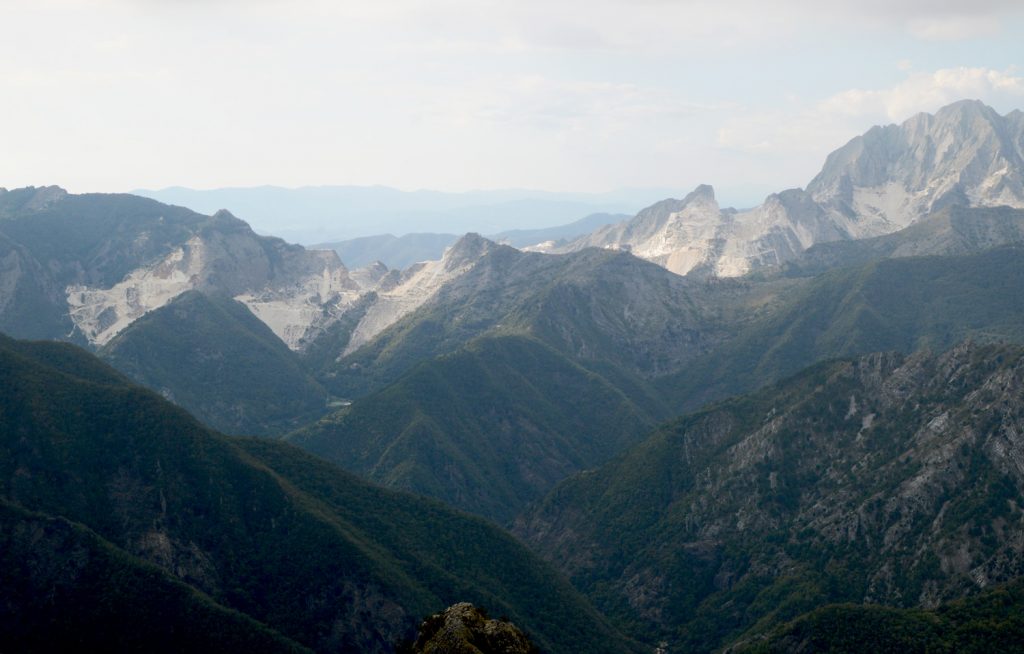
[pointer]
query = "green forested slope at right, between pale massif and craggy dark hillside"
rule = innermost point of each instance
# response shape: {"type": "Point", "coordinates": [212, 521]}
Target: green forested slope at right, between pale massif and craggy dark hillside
{"type": "Point", "coordinates": [900, 304]}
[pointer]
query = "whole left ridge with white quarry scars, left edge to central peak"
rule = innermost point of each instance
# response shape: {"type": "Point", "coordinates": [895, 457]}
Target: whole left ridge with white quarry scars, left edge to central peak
{"type": "Point", "coordinates": [97, 264]}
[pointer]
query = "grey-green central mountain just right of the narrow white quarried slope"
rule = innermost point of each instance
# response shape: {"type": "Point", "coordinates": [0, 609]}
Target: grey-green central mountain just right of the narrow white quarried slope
{"type": "Point", "coordinates": [599, 306]}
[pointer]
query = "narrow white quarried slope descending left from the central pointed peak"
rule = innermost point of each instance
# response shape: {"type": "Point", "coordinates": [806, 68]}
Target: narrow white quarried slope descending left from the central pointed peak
{"type": "Point", "coordinates": [403, 295]}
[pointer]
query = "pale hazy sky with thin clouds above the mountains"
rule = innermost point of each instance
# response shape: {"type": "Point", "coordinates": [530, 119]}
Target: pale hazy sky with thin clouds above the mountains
{"type": "Point", "coordinates": [588, 96]}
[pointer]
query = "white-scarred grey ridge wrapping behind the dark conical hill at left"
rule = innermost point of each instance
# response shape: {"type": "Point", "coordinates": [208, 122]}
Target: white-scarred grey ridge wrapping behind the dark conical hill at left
{"type": "Point", "coordinates": [292, 290]}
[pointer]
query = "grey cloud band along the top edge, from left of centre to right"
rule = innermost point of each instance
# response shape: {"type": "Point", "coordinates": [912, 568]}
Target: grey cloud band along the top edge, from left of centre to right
{"type": "Point", "coordinates": [661, 26]}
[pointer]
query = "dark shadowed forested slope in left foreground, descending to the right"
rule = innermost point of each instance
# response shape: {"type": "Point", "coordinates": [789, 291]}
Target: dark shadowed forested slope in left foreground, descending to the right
{"type": "Point", "coordinates": [110, 487]}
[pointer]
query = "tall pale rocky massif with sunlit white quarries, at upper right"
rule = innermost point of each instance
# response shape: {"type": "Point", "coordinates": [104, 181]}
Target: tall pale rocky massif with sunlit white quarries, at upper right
{"type": "Point", "coordinates": [876, 185]}
